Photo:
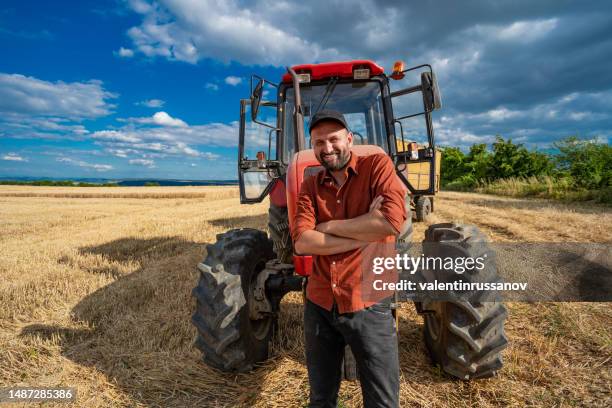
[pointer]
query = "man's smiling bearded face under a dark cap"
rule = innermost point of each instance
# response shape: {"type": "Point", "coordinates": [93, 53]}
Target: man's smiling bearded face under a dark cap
{"type": "Point", "coordinates": [332, 144]}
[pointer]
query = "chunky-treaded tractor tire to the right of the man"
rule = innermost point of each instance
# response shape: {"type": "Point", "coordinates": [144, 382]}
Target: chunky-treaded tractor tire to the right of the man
{"type": "Point", "coordinates": [464, 336]}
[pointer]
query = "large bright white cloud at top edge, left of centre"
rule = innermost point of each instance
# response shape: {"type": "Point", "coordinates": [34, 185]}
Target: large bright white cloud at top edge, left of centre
{"type": "Point", "coordinates": [189, 30]}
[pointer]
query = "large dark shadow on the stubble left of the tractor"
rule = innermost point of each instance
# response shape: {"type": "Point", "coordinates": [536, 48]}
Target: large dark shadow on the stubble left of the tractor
{"type": "Point", "coordinates": [137, 332]}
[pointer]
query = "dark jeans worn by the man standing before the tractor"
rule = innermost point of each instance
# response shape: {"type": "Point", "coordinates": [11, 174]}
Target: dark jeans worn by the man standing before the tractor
{"type": "Point", "coordinates": [371, 335]}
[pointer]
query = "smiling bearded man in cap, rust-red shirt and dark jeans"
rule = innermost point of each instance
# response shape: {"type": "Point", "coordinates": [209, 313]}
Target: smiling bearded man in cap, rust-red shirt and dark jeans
{"type": "Point", "coordinates": [354, 202]}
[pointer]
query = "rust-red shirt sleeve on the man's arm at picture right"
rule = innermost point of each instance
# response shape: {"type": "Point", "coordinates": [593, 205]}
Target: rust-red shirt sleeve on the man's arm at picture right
{"type": "Point", "coordinates": [386, 183]}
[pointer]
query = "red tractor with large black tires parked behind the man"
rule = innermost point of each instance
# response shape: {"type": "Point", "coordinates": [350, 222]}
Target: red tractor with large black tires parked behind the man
{"type": "Point", "coordinates": [247, 272]}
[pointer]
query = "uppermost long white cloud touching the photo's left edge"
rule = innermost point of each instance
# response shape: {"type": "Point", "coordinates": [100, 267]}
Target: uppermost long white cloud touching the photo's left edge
{"type": "Point", "coordinates": [22, 95]}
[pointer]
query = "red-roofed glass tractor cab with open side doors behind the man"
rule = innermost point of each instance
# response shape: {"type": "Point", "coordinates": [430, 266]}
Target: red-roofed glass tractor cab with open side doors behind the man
{"type": "Point", "coordinates": [274, 140]}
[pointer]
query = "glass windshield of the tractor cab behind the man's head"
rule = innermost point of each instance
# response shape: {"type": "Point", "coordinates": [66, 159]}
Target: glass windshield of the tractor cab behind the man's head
{"type": "Point", "coordinates": [360, 102]}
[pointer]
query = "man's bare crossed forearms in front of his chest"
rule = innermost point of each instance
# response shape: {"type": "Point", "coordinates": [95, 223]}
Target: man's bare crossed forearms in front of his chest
{"type": "Point", "coordinates": [337, 236]}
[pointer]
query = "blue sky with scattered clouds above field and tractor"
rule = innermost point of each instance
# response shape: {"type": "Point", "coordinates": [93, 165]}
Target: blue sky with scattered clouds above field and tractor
{"type": "Point", "coordinates": [118, 89]}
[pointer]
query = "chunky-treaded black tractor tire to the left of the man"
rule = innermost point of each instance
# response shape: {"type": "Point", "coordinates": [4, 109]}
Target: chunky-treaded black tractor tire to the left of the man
{"type": "Point", "coordinates": [227, 336]}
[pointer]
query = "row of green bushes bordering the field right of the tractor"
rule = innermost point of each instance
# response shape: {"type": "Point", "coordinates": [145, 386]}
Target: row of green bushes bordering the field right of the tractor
{"type": "Point", "coordinates": [582, 170]}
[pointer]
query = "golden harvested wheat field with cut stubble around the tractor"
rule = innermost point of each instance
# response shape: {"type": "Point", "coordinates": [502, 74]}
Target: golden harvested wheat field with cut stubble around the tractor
{"type": "Point", "coordinates": [96, 294]}
